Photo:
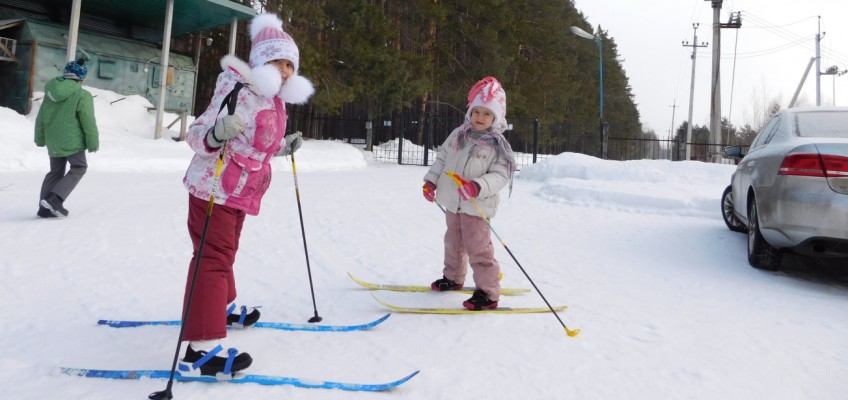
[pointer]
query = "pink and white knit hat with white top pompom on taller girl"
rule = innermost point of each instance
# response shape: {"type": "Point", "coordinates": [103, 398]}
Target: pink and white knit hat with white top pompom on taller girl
{"type": "Point", "coordinates": [270, 42]}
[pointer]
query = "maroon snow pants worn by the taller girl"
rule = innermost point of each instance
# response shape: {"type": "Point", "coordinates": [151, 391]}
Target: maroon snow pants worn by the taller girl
{"type": "Point", "coordinates": [215, 286]}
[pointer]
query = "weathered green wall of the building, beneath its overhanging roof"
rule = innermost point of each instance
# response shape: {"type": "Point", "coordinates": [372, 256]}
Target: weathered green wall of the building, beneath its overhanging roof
{"type": "Point", "coordinates": [120, 65]}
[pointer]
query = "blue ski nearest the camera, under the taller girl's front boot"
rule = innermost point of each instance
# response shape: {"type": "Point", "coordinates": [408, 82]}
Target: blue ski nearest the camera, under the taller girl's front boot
{"type": "Point", "coordinates": [259, 379]}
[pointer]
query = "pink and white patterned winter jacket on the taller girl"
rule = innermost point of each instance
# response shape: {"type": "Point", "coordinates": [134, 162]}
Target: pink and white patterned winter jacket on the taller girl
{"type": "Point", "coordinates": [246, 172]}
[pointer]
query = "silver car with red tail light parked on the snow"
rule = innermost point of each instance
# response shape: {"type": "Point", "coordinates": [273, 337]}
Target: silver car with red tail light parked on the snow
{"type": "Point", "coordinates": [790, 191]}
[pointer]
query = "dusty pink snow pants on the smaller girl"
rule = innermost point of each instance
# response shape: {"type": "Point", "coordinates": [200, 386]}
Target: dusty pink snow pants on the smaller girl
{"type": "Point", "coordinates": [467, 240]}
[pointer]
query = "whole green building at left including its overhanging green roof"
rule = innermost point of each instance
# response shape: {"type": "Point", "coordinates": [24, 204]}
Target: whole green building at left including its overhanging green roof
{"type": "Point", "coordinates": [121, 42]}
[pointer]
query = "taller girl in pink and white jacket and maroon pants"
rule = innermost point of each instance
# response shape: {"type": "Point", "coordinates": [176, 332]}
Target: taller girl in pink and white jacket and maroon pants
{"type": "Point", "coordinates": [249, 138]}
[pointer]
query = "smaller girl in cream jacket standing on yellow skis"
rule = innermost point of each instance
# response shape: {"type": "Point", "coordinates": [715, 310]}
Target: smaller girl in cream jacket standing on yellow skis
{"type": "Point", "coordinates": [478, 152]}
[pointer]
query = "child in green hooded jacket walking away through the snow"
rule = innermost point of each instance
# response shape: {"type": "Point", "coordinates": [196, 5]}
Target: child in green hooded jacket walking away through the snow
{"type": "Point", "coordinates": [65, 124]}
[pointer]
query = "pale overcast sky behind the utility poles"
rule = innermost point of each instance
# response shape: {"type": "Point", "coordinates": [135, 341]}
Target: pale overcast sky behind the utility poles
{"type": "Point", "coordinates": [772, 50]}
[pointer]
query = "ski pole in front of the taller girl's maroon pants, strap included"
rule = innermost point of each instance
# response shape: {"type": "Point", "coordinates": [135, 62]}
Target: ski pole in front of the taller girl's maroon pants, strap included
{"type": "Point", "coordinates": [230, 102]}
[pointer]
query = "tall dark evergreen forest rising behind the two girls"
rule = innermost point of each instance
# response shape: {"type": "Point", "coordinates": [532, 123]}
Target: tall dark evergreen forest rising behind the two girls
{"type": "Point", "coordinates": [375, 60]}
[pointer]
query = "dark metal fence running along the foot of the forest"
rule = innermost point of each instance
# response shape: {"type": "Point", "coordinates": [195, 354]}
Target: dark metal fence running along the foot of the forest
{"type": "Point", "coordinates": [402, 140]}
